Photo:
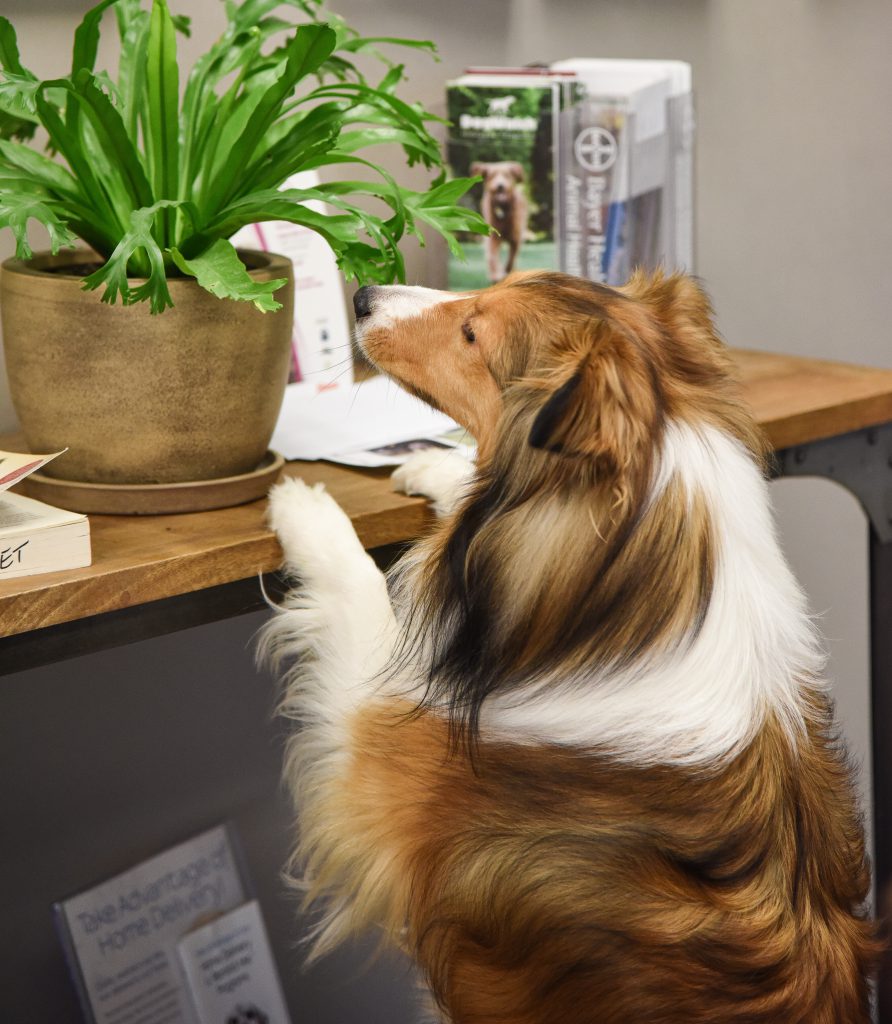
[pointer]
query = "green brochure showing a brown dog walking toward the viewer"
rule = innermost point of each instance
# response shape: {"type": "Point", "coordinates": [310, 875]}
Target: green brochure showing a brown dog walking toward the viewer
{"type": "Point", "coordinates": [503, 132]}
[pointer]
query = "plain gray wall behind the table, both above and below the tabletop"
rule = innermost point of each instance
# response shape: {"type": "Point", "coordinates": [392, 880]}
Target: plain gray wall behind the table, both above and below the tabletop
{"type": "Point", "coordinates": [794, 227]}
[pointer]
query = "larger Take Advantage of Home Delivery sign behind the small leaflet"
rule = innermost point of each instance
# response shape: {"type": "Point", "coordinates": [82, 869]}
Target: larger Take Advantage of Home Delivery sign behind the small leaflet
{"type": "Point", "coordinates": [121, 936]}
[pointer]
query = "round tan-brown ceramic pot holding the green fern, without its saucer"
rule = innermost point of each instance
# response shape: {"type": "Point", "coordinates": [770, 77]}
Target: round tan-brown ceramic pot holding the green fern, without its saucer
{"type": "Point", "coordinates": [192, 394]}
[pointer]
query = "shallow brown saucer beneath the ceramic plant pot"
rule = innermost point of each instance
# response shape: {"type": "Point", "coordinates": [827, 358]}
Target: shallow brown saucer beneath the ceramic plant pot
{"type": "Point", "coordinates": [156, 499]}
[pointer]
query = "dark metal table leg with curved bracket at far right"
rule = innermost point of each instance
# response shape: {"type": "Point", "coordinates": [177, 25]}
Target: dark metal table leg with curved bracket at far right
{"type": "Point", "coordinates": [863, 463]}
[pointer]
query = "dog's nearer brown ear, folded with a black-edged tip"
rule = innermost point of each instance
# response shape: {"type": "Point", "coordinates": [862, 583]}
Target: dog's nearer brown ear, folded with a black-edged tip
{"type": "Point", "coordinates": [609, 406]}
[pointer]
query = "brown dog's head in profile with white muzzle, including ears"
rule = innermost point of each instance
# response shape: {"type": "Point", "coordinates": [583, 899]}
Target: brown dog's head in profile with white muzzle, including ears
{"type": "Point", "coordinates": [567, 367]}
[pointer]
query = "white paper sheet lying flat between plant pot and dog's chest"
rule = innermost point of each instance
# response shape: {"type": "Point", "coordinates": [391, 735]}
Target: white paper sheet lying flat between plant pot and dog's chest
{"type": "Point", "coordinates": [372, 414]}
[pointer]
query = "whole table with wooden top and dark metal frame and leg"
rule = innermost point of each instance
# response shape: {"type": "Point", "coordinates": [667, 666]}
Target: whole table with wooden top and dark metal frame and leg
{"type": "Point", "coordinates": [156, 575]}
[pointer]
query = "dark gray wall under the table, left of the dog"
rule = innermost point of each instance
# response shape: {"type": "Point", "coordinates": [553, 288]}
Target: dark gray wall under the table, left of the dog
{"type": "Point", "coordinates": [110, 758]}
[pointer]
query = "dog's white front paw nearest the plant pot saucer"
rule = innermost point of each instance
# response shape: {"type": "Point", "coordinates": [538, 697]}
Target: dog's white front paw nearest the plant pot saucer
{"type": "Point", "coordinates": [316, 534]}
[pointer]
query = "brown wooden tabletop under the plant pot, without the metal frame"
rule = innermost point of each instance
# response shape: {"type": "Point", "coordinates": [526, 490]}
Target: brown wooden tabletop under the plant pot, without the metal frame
{"type": "Point", "coordinates": [139, 560]}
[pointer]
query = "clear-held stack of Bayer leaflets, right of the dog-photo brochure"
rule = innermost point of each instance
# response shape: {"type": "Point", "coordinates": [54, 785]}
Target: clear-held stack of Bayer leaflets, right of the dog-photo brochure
{"type": "Point", "coordinates": [626, 157]}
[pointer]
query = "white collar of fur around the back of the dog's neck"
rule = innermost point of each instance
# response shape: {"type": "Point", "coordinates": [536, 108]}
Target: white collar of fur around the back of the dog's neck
{"type": "Point", "coordinates": [756, 650]}
